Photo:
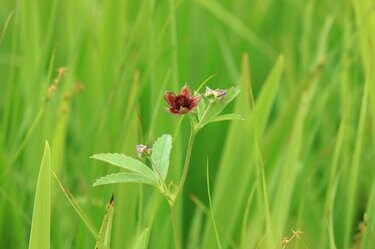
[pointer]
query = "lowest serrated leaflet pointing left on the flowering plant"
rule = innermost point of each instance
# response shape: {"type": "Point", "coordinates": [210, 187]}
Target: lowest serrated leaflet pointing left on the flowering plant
{"type": "Point", "coordinates": [125, 178]}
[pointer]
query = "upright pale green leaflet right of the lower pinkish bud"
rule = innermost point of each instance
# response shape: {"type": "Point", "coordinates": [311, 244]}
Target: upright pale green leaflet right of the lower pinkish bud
{"type": "Point", "coordinates": [161, 151]}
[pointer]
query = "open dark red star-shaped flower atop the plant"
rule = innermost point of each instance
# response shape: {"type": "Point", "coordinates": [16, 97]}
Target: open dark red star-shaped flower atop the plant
{"type": "Point", "coordinates": [182, 103]}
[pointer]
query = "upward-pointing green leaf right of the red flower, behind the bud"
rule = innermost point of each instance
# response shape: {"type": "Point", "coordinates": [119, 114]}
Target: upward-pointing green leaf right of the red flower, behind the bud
{"type": "Point", "coordinates": [217, 106]}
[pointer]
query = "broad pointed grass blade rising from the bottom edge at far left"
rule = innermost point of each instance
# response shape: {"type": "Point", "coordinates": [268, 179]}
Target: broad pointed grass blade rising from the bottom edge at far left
{"type": "Point", "coordinates": [40, 226]}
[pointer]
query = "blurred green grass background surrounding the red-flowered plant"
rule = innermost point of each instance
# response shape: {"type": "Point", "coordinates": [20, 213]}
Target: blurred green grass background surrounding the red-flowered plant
{"type": "Point", "coordinates": [306, 146]}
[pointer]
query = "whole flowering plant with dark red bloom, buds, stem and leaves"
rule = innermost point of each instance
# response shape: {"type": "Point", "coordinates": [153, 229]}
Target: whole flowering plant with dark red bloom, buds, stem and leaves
{"type": "Point", "coordinates": [209, 105]}
